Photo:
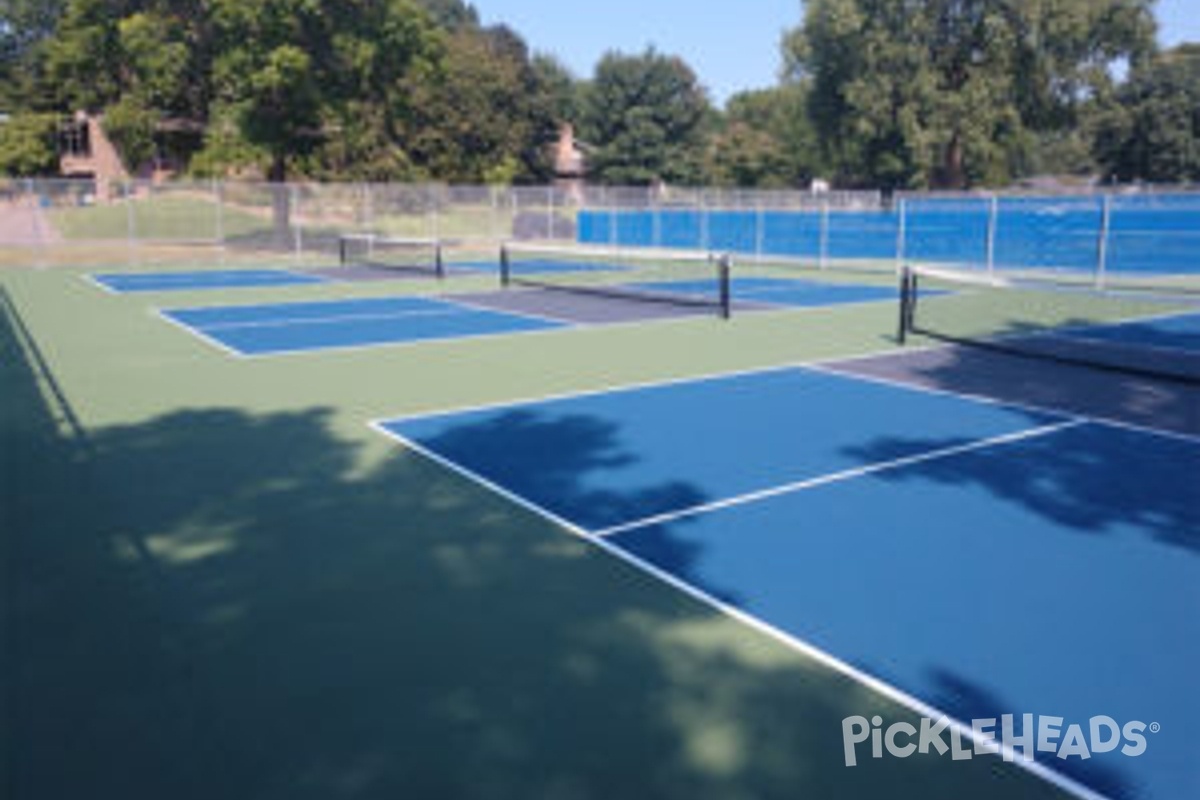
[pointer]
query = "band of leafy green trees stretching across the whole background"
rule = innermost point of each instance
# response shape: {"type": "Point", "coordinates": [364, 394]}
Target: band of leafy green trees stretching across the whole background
{"type": "Point", "coordinates": [873, 93]}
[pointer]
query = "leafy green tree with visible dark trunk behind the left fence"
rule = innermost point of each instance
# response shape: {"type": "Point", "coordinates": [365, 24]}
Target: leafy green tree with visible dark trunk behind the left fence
{"type": "Point", "coordinates": [317, 83]}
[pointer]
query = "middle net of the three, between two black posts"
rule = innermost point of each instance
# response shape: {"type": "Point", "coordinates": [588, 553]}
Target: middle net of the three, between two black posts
{"type": "Point", "coordinates": [687, 279]}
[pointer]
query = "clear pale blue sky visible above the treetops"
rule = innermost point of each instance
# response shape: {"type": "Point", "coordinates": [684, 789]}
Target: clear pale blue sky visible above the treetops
{"type": "Point", "coordinates": [731, 45]}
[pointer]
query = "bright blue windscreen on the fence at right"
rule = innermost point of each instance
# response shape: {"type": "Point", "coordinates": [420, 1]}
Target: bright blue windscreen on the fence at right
{"type": "Point", "coordinates": [1121, 234]}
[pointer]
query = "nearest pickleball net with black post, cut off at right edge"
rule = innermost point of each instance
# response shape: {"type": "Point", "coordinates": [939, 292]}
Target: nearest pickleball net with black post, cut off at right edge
{"type": "Point", "coordinates": [1139, 333]}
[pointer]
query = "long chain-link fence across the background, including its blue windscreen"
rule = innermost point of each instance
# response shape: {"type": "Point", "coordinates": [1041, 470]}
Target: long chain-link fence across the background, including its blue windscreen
{"type": "Point", "coordinates": [1095, 237]}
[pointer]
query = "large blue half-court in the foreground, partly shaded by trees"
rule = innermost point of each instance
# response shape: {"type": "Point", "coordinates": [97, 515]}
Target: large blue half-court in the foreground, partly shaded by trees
{"type": "Point", "coordinates": [980, 558]}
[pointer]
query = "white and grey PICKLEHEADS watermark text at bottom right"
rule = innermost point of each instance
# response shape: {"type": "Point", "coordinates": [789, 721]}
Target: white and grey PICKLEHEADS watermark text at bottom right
{"type": "Point", "coordinates": [1010, 737]}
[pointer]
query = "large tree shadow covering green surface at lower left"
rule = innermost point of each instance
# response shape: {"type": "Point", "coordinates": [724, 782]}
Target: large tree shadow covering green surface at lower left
{"type": "Point", "coordinates": [217, 604]}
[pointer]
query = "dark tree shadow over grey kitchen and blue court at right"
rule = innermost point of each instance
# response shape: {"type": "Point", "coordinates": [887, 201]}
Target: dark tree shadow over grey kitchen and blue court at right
{"type": "Point", "coordinates": [1093, 480]}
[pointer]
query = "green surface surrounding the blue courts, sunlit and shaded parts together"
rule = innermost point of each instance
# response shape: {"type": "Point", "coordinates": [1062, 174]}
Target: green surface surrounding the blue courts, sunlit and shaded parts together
{"type": "Point", "coordinates": [221, 582]}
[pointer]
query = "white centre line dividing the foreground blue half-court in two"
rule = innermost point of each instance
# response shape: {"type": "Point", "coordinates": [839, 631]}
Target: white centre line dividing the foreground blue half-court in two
{"type": "Point", "coordinates": [841, 477]}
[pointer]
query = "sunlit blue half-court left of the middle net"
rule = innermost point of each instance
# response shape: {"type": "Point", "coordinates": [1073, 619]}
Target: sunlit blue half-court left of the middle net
{"type": "Point", "coordinates": [303, 327]}
